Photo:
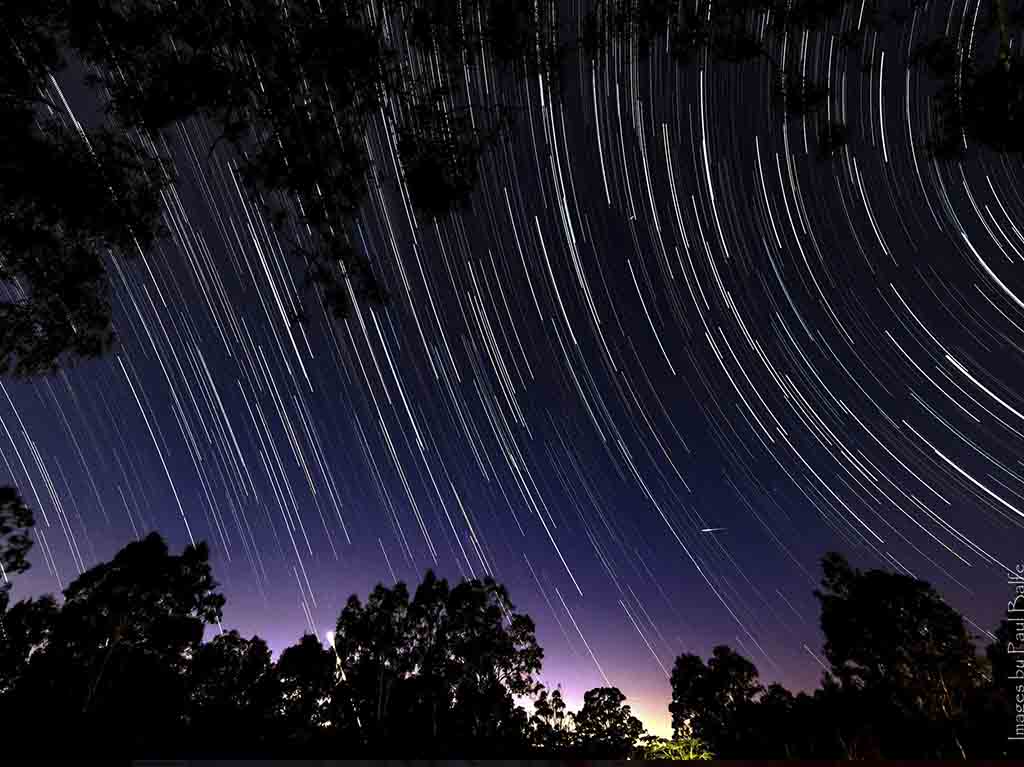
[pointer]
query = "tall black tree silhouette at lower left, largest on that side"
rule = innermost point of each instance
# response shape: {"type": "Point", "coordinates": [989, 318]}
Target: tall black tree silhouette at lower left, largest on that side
{"type": "Point", "coordinates": [113, 667]}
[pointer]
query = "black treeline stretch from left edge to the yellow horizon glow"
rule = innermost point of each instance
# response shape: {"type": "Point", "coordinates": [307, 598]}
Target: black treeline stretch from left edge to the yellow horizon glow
{"type": "Point", "coordinates": [119, 667]}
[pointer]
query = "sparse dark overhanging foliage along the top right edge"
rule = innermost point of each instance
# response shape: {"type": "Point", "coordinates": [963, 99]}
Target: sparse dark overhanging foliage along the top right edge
{"type": "Point", "coordinates": [979, 72]}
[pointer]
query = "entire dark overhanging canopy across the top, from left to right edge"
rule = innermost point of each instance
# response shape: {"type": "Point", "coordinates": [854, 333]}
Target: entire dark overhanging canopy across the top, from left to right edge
{"type": "Point", "coordinates": [293, 107]}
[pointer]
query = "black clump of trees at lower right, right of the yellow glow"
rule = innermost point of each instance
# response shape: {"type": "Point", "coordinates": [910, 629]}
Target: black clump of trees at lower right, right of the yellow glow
{"type": "Point", "coordinates": [906, 683]}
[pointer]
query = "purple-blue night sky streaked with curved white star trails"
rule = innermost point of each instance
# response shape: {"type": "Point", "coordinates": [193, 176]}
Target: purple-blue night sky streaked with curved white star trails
{"type": "Point", "coordinates": [665, 360]}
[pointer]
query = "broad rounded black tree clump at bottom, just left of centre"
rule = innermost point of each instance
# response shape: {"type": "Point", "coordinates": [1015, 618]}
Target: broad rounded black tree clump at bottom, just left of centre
{"type": "Point", "coordinates": [445, 668]}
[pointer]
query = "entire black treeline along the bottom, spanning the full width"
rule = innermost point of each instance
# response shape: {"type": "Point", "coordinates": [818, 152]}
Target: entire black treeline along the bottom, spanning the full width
{"type": "Point", "coordinates": [119, 666]}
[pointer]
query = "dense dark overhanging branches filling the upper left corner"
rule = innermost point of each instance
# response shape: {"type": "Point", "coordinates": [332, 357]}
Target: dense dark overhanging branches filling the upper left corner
{"type": "Point", "coordinates": [292, 103]}
